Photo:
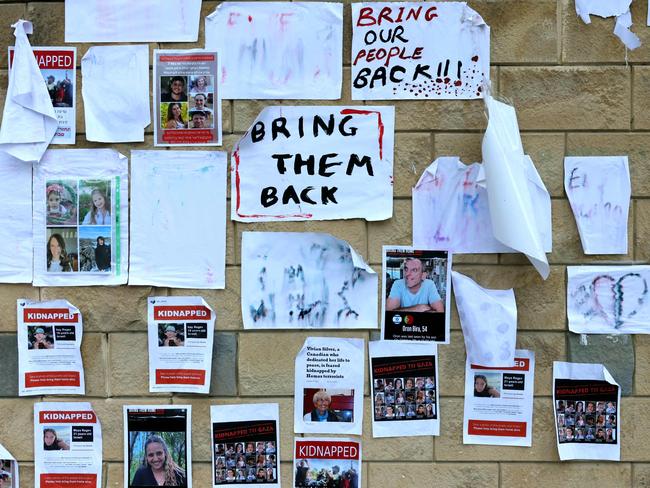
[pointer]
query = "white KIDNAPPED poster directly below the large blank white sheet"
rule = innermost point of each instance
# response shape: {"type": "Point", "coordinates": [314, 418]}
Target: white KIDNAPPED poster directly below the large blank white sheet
{"type": "Point", "coordinates": [181, 333]}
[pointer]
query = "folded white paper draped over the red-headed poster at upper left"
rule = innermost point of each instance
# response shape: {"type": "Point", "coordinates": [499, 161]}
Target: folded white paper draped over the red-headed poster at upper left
{"type": "Point", "coordinates": [28, 121]}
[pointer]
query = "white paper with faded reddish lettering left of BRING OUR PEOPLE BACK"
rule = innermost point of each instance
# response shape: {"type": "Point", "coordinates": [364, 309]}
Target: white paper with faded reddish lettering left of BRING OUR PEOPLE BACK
{"type": "Point", "coordinates": [278, 50]}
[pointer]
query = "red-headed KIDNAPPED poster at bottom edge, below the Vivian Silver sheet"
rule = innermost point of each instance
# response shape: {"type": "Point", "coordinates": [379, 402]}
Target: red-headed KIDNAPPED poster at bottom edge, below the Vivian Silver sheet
{"type": "Point", "coordinates": [317, 461]}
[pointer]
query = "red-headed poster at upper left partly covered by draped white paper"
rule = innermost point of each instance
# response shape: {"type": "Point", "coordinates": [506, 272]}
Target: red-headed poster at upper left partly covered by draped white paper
{"type": "Point", "coordinates": [58, 67]}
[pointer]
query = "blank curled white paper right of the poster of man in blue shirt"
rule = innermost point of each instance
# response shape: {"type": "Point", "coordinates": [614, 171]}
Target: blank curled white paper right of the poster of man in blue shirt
{"type": "Point", "coordinates": [489, 322]}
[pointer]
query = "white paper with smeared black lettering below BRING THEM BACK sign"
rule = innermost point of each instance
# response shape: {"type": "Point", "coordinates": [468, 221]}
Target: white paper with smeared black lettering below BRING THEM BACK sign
{"type": "Point", "coordinates": [303, 280]}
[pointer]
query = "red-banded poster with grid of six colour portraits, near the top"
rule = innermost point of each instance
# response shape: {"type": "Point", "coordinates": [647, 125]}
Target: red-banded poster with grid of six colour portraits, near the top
{"type": "Point", "coordinates": [187, 98]}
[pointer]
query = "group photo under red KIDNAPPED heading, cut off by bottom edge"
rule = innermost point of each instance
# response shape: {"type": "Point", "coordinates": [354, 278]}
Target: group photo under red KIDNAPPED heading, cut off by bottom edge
{"type": "Point", "coordinates": [317, 472]}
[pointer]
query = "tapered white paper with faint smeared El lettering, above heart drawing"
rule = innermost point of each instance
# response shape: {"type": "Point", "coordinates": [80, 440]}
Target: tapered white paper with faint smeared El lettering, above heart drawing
{"type": "Point", "coordinates": [599, 189]}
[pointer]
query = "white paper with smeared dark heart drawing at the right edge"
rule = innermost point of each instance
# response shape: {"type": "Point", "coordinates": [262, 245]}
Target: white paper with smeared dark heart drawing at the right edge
{"type": "Point", "coordinates": [608, 299]}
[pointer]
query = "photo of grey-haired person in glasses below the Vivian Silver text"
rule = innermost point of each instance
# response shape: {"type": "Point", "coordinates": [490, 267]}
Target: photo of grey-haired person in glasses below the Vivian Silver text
{"type": "Point", "coordinates": [328, 405]}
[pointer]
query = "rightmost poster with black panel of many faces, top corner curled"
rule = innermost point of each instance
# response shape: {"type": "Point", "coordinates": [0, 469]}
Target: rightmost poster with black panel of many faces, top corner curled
{"type": "Point", "coordinates": [586, 401]}
